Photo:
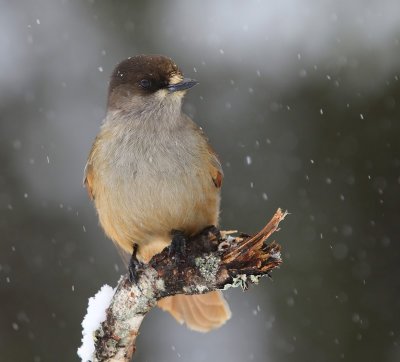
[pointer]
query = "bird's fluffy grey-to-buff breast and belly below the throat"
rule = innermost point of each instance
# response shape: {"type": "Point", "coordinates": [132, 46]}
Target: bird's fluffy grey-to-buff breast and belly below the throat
{"type": "Point", "coordinates": [146, 186]}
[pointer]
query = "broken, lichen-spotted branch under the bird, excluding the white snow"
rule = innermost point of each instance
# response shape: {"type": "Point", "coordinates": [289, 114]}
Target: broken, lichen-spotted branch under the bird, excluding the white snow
{"type": "Point", "coordinates": [214, 260]}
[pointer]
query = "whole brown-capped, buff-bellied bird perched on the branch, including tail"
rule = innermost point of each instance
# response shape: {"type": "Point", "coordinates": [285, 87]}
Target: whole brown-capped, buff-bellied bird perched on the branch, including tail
{"type": "Point", "coordinates": [151, 170]}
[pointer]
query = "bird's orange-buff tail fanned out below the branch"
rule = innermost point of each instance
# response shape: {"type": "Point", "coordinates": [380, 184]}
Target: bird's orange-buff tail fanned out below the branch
{"type": "Point", "coordinates": [201, 313]}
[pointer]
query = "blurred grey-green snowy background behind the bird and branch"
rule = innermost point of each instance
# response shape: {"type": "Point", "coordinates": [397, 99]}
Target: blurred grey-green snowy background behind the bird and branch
{"type": "Point", "coordinates": [301, 101]}
